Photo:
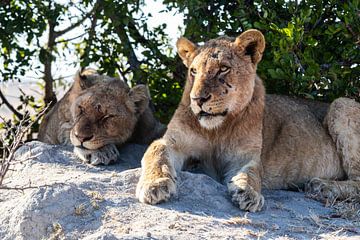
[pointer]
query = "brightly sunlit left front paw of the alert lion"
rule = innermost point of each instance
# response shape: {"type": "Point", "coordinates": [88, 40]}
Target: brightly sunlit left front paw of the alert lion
{"type": "Point", "coordinates": [155, 191]}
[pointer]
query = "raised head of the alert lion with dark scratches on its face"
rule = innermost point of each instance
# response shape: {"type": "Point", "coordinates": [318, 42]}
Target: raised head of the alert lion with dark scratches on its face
{"type": "Point", "coordinates": [221, 75]}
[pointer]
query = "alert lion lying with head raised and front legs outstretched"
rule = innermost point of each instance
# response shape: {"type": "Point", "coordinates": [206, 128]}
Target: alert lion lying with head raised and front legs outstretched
{"type": "Point", "coordinates": [248, 140]}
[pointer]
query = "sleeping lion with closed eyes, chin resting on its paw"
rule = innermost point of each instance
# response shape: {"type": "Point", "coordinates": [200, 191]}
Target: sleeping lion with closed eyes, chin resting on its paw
{"type": "Point", "coordinates": [98, 115]}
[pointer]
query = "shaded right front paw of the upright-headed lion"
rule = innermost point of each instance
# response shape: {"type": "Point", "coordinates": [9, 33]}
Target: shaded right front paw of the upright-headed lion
{"type": "Point", "coordinates": [246, 198]}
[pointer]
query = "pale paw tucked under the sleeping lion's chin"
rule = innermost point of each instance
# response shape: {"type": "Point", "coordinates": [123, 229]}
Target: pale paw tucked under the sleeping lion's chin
{"type": "Point", "coordinates": [104, 155]}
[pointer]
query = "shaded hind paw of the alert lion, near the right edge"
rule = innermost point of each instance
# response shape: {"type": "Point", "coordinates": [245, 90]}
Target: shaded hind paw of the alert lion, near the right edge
{"type": "Point", "coordinates": [322, 190]}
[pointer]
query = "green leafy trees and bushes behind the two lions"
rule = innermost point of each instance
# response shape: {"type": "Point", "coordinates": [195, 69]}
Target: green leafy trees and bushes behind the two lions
{"type": "Point", "coordinates": [312, 46]}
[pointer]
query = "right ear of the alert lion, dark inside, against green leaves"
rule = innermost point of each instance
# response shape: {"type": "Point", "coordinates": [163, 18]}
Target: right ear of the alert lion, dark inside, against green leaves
{"type": "Point", "coordinates": [252, 43]}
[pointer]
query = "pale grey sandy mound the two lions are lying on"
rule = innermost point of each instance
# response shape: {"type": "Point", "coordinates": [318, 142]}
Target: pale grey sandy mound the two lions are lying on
{"type": "Point", "coordinates": [65, 199]}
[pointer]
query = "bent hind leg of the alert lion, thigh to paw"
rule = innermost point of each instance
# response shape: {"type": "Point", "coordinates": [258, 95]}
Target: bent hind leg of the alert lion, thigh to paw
{"type": "Point", "coordinates": [343, 124]}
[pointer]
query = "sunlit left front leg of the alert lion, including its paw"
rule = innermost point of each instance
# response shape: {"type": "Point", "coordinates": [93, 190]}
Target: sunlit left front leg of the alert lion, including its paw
{"type": "Point", "coordinates": [158, 177]}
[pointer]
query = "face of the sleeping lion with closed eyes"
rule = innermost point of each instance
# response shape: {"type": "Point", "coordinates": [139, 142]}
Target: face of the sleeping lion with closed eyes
{"type": "Point", "coordinates": [106, 114]}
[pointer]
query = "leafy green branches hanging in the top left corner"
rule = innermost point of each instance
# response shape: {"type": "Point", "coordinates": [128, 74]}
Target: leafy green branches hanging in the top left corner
{"type": "Point", "coordinates": [18, 23]}
